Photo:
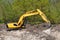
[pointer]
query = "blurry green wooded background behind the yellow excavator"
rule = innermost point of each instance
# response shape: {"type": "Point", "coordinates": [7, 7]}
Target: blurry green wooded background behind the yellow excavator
{"type": "Point", "coordinates": [11, 10]}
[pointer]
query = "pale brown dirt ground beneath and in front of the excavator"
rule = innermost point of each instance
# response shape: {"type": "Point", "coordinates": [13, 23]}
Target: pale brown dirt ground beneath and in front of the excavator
{"type": "Point", "coordinates": [31, 32]}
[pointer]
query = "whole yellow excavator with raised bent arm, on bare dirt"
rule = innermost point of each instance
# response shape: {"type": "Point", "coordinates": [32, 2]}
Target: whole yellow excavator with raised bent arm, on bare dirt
{"type": "Point", "coordinates": [29, 13]}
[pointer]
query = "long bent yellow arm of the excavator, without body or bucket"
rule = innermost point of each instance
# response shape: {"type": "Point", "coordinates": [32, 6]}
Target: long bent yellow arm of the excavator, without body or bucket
{"type": "Point", "coordinates": [33, 13]}
